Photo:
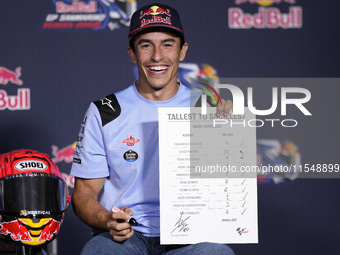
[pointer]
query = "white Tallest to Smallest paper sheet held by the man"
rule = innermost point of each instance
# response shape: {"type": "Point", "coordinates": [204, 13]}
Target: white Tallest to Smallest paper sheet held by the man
{"type": "Point", "coordinates": [221, 208]}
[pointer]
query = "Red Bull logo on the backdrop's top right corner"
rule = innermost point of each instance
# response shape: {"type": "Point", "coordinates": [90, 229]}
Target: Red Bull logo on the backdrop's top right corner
{"type": "Point", "coordinates": [266, 17]}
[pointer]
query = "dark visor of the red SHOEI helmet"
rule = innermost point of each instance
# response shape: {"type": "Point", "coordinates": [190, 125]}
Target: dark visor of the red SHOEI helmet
{"type": "Point", "coordinates": [32, 194]}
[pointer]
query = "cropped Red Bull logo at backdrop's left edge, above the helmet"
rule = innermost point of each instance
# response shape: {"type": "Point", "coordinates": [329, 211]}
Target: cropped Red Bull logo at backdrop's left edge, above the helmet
{"type": "Point", "coordinates": [19, 101]}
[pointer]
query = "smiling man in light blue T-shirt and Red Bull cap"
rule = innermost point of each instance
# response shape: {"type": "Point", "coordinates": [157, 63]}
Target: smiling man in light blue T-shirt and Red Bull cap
{"type": "Point", "coordinates": [117, 149]}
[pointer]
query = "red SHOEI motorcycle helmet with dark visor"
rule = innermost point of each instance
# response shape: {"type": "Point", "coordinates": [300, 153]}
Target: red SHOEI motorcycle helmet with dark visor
{"type": "Point", "coordinates": [33, 197]}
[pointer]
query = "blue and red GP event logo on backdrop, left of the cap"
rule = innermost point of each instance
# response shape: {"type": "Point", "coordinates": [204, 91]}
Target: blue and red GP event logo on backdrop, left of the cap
{"type": "Point", "coordinates": [90, 14]}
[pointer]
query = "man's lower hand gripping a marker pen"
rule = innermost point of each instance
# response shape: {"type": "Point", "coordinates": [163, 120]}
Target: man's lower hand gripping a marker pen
{"type": "Point", "coordinates": [117, 223]}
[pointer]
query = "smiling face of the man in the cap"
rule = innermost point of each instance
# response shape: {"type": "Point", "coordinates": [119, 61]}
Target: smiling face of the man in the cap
{"type": "Point", "coordinates": [157, 55]}
